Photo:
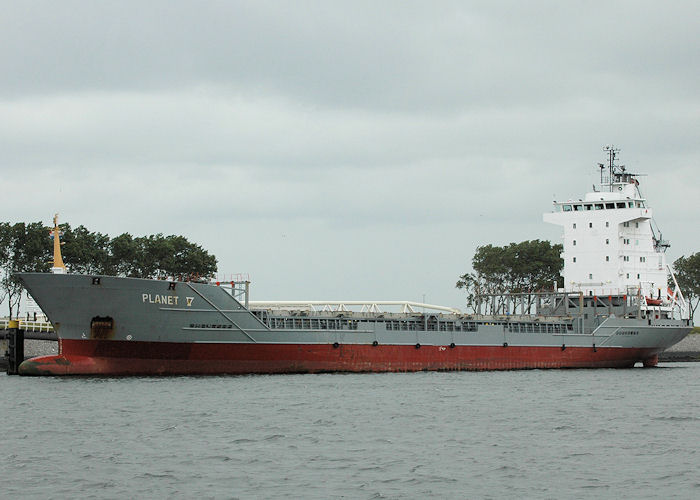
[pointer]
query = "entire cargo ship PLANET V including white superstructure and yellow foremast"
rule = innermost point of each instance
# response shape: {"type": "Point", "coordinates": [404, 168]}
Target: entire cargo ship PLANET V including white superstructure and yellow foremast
{"type": "Point", "coordinates": [616, 309]}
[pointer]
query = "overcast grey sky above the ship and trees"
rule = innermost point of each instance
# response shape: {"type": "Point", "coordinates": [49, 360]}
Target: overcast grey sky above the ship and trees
{"type": "Point", "coordinates": [345, 150]}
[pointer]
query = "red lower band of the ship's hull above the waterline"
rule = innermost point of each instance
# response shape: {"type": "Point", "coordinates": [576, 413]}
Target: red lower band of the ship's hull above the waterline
{"type": "Point", "coordinates": [100, 357]}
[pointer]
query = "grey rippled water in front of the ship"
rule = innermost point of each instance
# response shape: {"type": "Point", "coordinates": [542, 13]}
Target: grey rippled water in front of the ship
{"type": "Point", "coordinates": [525, 434]}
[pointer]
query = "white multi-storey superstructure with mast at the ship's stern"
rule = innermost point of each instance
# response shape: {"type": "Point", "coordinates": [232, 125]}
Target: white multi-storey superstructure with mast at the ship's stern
{"type": "Point", "coordinates": [610, 246]}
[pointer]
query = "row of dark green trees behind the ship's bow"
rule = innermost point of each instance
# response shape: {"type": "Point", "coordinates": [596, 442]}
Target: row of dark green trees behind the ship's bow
{"type": "Point", "coordinates": [28, 247]}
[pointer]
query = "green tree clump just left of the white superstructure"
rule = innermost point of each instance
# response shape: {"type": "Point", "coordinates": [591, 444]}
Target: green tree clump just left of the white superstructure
{"type": "Point", "coordinates": [518, 267]}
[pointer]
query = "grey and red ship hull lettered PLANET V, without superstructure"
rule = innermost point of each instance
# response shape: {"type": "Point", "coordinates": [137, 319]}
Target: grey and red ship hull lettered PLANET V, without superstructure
{"type": "Point", "coordinates": [118, 326]}
